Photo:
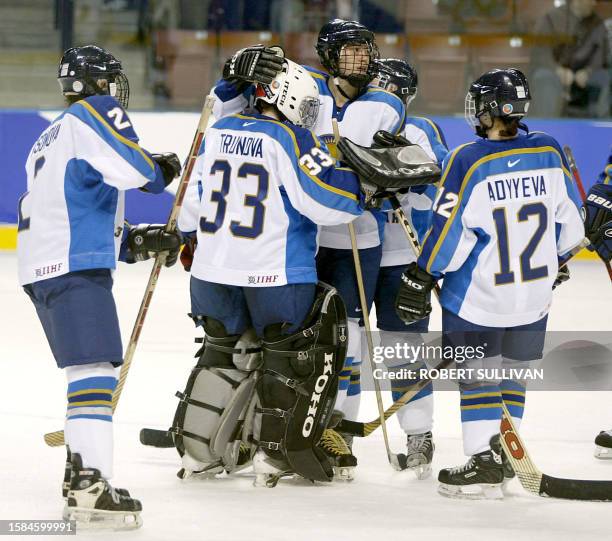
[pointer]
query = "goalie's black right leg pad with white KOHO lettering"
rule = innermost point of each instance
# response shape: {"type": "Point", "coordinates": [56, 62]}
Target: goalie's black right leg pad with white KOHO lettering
{"type": "Point", "coordinates": [299, 384]}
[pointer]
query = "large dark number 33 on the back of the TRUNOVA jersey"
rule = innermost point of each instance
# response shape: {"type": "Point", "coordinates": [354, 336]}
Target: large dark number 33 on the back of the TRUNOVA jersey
{"type": "Point", "coordinates": [250, 200]}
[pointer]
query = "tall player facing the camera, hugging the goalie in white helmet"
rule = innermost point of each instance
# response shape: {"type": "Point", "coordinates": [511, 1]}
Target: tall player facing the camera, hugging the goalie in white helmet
{"type": "Point", "coordinates": [347, 50]}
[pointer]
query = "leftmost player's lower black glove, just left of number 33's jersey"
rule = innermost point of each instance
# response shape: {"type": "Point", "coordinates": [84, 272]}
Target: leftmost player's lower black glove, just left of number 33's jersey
{"type": "Point", "coordinates": [145, 240]}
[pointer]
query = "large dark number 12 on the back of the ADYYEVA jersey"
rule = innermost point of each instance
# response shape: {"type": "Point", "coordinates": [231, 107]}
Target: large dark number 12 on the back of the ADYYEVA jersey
{"type": "Point", "coordinates": [528, 273]}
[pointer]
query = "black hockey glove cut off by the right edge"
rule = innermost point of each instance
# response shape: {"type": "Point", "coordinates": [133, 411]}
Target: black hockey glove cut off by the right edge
{"type": "Point", "coordinates": [597, 215]}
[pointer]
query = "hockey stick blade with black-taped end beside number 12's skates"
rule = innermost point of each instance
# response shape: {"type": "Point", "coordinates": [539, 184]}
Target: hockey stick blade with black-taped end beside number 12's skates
{"type": "Point", "coordinates": [536, 482]}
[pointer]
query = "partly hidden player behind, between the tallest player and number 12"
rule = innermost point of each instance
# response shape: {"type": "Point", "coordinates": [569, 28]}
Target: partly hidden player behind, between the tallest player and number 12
{"type": "Point", "coordinates": [416, 417]}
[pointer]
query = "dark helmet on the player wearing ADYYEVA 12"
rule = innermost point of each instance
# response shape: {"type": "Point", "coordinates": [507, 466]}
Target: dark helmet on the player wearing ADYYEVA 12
{"type": "Point", "coordinates": [502, 93]}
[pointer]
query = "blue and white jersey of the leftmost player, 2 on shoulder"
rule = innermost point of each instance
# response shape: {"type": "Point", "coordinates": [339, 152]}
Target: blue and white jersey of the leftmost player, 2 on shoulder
{"type": "Point", "coordinates": [71, 216]}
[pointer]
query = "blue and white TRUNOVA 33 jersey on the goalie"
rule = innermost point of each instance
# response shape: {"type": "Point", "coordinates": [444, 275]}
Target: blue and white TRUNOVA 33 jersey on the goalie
{"type": "Point", "coordinates": [258, 190]}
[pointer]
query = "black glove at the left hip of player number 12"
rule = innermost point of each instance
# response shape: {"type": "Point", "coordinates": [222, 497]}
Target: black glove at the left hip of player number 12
{"type": "Point", "coordinates": [413, 300]}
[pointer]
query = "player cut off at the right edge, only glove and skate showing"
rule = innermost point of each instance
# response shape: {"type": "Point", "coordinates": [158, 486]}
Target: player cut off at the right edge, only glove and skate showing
{"type": "Point", "coordinates": [598, 226]}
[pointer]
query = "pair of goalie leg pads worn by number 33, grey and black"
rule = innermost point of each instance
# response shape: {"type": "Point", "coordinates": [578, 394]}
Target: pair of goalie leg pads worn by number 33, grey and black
{"type": "Point", "coordinates": [277, 394]}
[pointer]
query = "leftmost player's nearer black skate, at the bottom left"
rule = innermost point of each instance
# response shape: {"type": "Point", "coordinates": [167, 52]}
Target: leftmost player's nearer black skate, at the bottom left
{"type": "Point", "coordinates": [94, 504]}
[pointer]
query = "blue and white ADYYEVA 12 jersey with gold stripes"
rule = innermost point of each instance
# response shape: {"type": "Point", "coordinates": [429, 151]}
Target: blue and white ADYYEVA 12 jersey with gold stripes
{"type": "Point", "coordinates": [504, 212]}
